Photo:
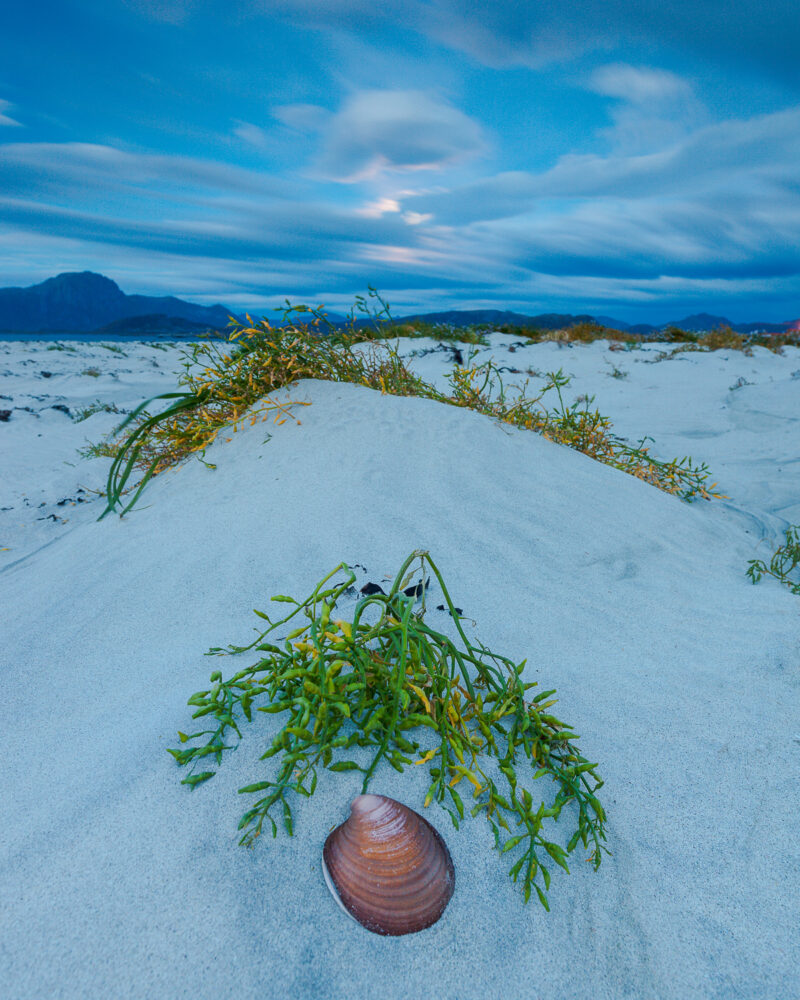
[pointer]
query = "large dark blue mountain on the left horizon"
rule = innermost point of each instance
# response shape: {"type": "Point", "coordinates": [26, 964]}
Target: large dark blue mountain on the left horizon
{"type": "Point", "coordinates": [85, 302]}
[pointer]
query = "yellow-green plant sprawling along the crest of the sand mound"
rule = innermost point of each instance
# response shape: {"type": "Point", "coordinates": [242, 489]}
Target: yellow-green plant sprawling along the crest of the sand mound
{"type": "Point", "coordinates": [223, 380]}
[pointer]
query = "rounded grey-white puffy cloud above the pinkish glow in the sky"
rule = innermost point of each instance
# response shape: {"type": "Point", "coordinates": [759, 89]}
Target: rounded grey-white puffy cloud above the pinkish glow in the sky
{"type": "Point", "coordinates": [398, 130]}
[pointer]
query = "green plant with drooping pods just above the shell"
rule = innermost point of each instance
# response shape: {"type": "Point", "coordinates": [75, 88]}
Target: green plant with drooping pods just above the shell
{"type": "Point", "coordinates": [389, 691]}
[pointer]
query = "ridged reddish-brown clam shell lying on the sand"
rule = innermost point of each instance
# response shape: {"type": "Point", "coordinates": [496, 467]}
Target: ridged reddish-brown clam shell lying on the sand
{"type": "Point", "coordinates": [388, 868]}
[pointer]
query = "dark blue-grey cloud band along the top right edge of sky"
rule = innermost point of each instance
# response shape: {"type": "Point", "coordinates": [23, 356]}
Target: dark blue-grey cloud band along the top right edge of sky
{"type": "Point", "coordinates": [537, 35]}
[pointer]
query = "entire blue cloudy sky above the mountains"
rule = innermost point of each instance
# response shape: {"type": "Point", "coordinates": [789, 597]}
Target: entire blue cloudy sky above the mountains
{"type": "Point", "coordinates": [630, 158]}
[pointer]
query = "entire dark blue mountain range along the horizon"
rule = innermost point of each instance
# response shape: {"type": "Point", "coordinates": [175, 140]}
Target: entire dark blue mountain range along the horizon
{"type": "Point", "coordinates": [85, 302]}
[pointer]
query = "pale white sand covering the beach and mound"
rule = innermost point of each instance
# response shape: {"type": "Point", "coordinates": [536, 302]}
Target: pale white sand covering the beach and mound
{"type": "Point", "coordinates": [682, 678]}
